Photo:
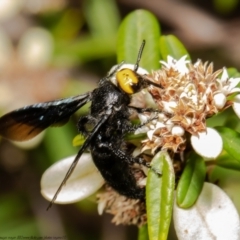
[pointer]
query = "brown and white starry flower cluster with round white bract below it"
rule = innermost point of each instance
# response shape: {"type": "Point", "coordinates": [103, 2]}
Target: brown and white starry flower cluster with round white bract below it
{"type": "Point", "coordinates": [187, 96]}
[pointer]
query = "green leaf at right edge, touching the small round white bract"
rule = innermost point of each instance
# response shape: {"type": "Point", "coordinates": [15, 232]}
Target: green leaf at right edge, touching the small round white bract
{"type": "Point", "coordinates": [231, 141]}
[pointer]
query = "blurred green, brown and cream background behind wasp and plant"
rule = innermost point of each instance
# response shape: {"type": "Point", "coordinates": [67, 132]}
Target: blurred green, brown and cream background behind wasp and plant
{"type": "Point", "coordinates": [60, 48]}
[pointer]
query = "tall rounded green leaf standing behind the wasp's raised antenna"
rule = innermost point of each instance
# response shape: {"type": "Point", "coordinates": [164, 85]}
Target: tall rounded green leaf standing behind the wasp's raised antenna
{"type": "Point", "coordinates": [138, 26]}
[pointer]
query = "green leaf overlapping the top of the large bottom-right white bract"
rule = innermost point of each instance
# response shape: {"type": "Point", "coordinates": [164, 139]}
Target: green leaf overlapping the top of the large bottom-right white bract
{"type": "Point", "coordinates": [191, 181]}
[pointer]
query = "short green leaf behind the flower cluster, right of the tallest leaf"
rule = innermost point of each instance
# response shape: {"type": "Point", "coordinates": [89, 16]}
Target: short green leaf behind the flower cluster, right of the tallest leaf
{"type": "Point", "coordinates": [170, 45]}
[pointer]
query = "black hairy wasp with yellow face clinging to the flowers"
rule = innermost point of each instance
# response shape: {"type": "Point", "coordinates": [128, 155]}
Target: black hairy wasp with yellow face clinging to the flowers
{"type": "Point", "coordinates": [109, 118]}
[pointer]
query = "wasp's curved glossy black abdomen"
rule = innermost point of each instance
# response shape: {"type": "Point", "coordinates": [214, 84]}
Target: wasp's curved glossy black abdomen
{"type": "Point", "coordinates": [114, 166]}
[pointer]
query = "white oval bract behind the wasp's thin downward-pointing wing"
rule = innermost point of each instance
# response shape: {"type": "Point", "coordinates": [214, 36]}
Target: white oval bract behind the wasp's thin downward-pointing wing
{"type": "Point", "coordinates": [84, 181]}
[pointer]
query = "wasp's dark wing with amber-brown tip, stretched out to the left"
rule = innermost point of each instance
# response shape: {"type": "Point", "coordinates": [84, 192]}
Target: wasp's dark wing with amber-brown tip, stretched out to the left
{"type": "Point", "coordinates": [27, 122]}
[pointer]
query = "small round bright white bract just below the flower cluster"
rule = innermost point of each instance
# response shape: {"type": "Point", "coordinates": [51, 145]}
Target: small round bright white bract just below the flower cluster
{"type": "Point", "coordinates": [208, 144]}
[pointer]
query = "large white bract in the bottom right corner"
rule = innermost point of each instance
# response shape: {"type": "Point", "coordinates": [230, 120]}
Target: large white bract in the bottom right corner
{"type": "Point", "coordinates": [212, 217]}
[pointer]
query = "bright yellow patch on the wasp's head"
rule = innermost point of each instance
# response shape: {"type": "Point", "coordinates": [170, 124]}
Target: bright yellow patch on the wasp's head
{"type": "Point", "coordinates": [127, 80]}
